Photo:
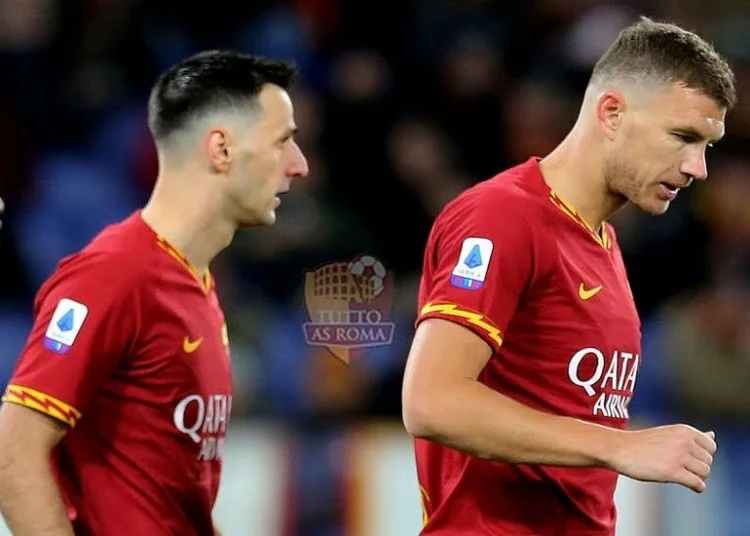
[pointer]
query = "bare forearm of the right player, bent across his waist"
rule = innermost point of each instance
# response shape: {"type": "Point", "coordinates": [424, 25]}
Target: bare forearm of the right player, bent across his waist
{"type": "Point", "coordinates": [474, 419]}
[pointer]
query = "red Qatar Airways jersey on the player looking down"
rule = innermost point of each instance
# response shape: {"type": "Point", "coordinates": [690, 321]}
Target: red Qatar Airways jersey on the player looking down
{"type": "Point", "coordinates": [511, 261]}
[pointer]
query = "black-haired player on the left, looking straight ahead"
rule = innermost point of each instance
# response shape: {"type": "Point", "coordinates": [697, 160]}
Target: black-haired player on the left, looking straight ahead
{"type": "Point", "coordinates": [125, 382]}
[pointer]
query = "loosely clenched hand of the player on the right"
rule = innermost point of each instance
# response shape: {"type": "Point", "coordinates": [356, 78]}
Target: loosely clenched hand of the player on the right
{"type": "Point", "coordinates": [677, 454]}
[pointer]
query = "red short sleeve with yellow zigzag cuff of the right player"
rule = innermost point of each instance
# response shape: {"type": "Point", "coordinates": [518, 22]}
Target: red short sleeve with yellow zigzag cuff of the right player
{"type": "Point", "coordinates": [478, 262]}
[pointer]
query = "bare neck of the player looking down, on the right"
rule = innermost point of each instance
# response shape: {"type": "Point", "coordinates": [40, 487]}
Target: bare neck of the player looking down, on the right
{"type": "Point", "coordinates": [574, 170]}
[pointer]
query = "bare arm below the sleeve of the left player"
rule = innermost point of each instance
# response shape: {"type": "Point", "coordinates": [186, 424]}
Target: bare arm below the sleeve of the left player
{"type": "Point", "coordinates": [30, 500]}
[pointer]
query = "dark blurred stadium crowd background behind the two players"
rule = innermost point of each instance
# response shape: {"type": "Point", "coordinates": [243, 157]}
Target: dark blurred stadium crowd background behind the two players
{"type": "Point", "coordinates": [399, 110]}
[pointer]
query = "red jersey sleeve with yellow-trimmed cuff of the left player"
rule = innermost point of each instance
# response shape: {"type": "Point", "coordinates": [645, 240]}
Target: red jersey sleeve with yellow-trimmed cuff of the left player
{"type": "Point", "coordinates": [83, 322]}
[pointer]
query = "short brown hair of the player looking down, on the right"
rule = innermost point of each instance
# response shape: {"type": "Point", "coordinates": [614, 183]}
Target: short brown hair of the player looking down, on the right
{"type": "Point", "coordinates": [667, 53]}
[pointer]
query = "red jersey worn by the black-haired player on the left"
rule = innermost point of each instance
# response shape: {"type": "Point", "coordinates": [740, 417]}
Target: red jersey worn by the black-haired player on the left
{"type": "Point", "coordinates": [129, 348]}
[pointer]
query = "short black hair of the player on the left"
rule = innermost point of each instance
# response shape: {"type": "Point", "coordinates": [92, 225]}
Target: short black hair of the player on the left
{"type": "Point", "coordinates": [210, 81]}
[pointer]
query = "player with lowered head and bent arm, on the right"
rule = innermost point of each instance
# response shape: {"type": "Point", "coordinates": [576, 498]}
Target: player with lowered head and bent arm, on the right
{"type": "Point", "coordinates": [527, 346]}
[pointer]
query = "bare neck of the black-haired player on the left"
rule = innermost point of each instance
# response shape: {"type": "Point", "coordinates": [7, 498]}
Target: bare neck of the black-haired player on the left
{"type": "Point", "coordinates": [188, 219]}
